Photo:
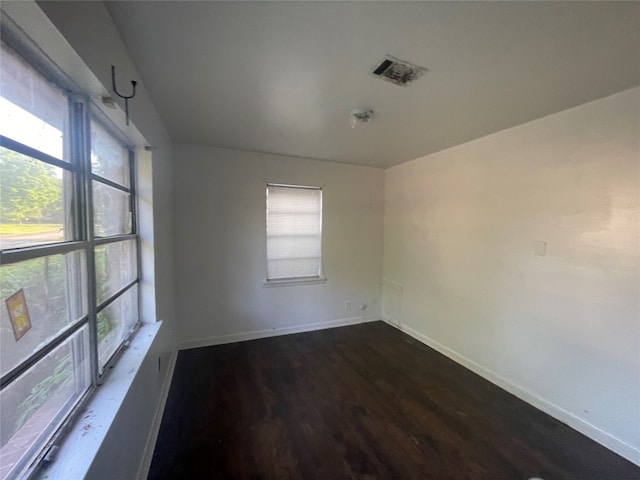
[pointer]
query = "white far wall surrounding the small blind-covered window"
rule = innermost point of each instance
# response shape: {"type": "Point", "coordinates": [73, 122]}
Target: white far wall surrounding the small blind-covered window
{"type": "Point", "coordinates": [220, 240]}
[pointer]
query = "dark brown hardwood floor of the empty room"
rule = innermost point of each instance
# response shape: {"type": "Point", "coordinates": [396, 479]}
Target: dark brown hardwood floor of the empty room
{"type": "Point", "coordinates": [359, 402]}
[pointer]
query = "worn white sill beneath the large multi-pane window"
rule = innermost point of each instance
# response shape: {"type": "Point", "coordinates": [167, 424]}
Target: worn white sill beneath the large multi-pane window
{"type": "Point", "coordinates": [81, 445]}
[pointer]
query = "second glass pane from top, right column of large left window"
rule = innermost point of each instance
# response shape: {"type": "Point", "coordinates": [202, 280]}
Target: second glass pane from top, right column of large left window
{"type": "Point", "coordinates": [111, 212]}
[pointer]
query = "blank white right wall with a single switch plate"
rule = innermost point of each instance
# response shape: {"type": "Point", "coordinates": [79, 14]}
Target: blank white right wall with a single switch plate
{"type": "Point", "coordinates": [560, 330]}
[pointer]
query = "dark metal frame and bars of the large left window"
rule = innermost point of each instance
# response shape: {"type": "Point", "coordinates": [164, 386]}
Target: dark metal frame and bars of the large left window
{"type": "Point", "coordinates": [82, 238]}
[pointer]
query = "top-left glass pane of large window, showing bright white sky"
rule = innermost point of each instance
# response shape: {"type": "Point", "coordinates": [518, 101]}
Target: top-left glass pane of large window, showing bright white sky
{"type": "Point", "coordinates": [32, 110]}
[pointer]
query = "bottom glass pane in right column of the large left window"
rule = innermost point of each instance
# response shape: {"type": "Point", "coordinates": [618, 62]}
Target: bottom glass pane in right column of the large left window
{"type": "Point", "coordinates": [115, 323]}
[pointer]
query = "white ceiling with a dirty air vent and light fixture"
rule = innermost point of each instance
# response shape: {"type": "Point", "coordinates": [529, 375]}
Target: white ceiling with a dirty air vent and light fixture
{"type": "Point", "coordinates": [282, 77]}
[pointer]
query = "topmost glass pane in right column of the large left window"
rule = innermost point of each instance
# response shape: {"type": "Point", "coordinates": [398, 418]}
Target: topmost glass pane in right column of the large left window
{"type": "Point", "coordinates": [109, 158]}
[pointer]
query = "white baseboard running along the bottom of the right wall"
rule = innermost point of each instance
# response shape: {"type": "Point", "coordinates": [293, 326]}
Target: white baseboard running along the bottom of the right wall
{"type": "Point", "coordinates": [609, 441]}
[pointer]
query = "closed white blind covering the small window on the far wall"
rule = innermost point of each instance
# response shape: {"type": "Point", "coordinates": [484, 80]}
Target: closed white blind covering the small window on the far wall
{"type": "Point", "coordinates": [294, 232]}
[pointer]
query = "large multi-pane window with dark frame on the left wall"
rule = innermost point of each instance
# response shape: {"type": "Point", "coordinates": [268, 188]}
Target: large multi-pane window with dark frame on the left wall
{"type": "Point", "coordinates": [68, 258]}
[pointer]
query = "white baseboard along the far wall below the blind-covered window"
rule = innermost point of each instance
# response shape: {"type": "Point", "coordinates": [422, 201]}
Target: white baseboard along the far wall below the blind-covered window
{"type": "Point", "coordinates": [274, 332]}
